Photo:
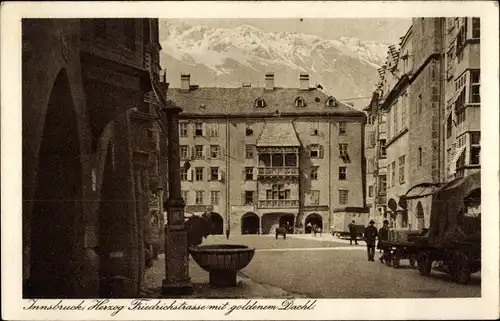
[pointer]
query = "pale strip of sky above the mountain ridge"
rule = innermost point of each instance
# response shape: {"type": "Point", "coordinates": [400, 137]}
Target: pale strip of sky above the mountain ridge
{"type": "Point", "coordinates": [376, 29]}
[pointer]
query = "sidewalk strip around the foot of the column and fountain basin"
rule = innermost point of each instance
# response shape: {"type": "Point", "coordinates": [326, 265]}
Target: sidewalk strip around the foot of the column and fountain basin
{"type": "Point", "coordinates": [246, 288]}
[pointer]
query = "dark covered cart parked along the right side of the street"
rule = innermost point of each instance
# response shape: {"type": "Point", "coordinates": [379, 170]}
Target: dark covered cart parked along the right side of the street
{"type": "Point", "coordinates": [453, 242]}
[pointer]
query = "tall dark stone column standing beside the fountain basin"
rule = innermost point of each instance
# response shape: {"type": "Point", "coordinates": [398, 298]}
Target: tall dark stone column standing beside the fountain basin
{"type": "Point", "coordinates": [177, 280]}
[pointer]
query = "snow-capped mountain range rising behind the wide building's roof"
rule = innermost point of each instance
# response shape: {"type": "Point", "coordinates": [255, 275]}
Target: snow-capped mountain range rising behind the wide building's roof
{"type": "Point", "coordinates": [344, 67]}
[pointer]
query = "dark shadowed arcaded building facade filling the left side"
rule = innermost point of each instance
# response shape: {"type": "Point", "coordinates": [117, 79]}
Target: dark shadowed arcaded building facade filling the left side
{"type": "Point", "coordinates": [86, 148]}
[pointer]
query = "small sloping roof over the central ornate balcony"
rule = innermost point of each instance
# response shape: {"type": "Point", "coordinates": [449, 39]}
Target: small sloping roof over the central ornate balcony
{"type": "Point", "coordinates": [278, 134]}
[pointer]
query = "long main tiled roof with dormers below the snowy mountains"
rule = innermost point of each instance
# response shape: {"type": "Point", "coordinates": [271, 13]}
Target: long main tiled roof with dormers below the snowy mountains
{"type": "Point", "coordinates": [242, 101]}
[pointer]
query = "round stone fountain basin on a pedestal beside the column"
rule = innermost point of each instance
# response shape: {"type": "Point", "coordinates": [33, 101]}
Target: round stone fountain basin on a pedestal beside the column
{"type": "Point", "coordinates": [222, 261]}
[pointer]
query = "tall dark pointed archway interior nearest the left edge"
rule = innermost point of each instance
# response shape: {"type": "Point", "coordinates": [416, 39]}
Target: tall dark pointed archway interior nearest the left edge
{"type": "Point", "coordinates": [57, 210]}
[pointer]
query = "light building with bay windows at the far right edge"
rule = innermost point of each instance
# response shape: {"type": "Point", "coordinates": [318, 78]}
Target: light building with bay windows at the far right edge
{"type": "Point", "coordinates": [463, 99]}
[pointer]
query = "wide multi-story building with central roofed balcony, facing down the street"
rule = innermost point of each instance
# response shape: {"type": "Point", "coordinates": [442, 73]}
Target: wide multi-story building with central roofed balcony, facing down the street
{"type": "Point", "coordinates": [257, 158]}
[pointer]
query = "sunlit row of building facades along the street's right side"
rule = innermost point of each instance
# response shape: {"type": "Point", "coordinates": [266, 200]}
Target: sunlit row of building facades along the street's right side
{"type": "Point", "coordinates": [430, 94]}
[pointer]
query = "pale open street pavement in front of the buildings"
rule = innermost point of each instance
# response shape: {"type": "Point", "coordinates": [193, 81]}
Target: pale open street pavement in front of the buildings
{"type": "Point", "coordinates": [327, 267]}
